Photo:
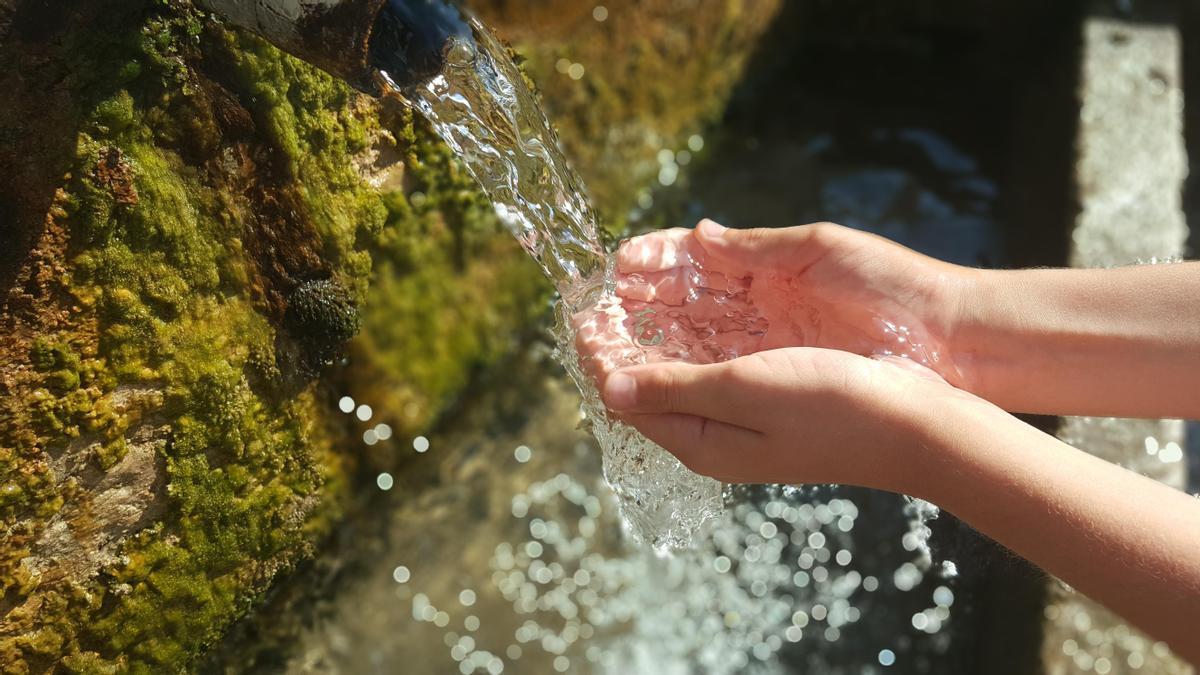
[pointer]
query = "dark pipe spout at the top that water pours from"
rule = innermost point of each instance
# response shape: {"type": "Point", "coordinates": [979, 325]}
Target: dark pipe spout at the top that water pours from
{"type": "Point", "coordinates": [352, 39]}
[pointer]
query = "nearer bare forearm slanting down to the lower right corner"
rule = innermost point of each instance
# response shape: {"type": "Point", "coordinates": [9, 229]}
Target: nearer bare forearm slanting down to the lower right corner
{"type": "Point", "coordinates": [1118, 537]}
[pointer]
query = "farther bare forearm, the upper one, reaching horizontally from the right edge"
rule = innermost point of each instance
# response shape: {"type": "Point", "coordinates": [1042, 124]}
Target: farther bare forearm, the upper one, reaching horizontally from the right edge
{"type": "Point", "coordinates": [1123, 343]}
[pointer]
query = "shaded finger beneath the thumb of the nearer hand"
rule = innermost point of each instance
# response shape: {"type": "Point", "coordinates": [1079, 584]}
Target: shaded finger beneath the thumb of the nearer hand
{"type": "Point", "coordinates": [709, 447]}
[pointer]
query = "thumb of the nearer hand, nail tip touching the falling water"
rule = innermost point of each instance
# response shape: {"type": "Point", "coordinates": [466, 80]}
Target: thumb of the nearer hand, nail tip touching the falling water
{"type": "Point", "coordinates": [707, 391]}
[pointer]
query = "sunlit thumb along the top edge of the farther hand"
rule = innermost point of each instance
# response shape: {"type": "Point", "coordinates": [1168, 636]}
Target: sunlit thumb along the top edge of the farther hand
{"type": "Point", "coordinates": [791, 248]}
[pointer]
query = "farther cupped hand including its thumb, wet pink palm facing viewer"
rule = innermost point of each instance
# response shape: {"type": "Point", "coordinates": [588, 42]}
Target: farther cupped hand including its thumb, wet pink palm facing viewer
{"type": "Point", "coordinates": [814, 286]}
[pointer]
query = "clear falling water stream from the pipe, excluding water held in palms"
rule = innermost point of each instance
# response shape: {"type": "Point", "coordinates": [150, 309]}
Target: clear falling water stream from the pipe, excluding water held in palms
{"type": "Point", "coordinates": [482, 107]}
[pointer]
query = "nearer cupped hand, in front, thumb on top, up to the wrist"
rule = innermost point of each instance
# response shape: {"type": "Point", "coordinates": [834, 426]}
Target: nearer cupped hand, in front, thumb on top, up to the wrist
{"type": "Point", "coordinates": [795, 415]}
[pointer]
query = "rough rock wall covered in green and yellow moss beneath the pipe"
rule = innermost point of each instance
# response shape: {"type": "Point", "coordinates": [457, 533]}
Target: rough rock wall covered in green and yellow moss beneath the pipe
{"type": "Point", "coordinates": [207, 244]}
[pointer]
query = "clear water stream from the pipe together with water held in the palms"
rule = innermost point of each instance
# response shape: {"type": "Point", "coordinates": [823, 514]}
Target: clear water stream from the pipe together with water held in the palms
{"type": "Point", "coordinates": [482, 107]}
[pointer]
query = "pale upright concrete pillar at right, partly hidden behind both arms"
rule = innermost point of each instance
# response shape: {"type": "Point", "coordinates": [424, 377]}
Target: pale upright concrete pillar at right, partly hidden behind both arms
{"type": "Point", "coordinates": [1130, 172]}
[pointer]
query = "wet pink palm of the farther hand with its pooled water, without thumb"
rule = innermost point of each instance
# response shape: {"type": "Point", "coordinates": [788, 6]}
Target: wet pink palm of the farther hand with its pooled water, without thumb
{"type": "Point", "coordinates": [681, 302]}
